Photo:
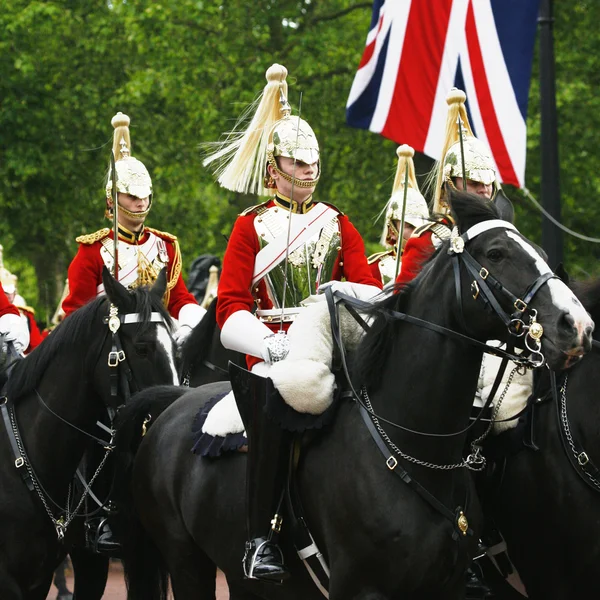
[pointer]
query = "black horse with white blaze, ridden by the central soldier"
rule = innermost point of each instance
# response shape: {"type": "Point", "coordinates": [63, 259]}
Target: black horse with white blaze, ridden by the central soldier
{"type": "Point", "coordinates": [380, 538]}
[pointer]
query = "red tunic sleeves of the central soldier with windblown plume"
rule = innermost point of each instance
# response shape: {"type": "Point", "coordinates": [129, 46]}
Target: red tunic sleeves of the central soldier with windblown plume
{"type": "Point", "coordinates": [235, 284]}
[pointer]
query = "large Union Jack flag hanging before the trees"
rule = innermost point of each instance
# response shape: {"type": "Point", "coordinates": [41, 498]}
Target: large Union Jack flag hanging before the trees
{"type": "Point", "coordinates": [418, 49]}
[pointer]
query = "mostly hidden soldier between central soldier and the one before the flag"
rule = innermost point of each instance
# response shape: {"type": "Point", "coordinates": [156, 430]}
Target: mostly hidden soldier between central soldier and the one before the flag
{"type": "Point", "coordinates": [410, 205]}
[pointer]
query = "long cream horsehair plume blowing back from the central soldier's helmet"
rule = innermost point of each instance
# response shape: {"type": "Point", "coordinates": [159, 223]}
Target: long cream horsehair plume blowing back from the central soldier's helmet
{"type": "Point", "coordinates": [241, 158]}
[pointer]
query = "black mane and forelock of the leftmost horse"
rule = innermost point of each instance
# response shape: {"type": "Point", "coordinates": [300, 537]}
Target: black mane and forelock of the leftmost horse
{"type": "Point", "coordinates": [79, 325]}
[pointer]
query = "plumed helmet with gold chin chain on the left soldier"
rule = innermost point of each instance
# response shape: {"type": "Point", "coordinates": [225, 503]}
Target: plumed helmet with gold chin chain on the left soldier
{"type": "Point", "coordinates": [132, 176]}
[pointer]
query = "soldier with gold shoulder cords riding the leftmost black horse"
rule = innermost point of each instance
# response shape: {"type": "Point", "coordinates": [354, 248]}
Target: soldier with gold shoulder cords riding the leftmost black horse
{"type": "Point", "coordinates": [142, 252]}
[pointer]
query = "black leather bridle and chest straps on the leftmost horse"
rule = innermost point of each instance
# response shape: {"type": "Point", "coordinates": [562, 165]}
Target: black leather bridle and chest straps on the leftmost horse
{"type": "Point", "coordinates": [116, 357]}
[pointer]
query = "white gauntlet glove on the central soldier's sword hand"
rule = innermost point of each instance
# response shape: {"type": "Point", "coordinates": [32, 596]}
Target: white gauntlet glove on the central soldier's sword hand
{"type": "Point", "coordinates": [244, 333]}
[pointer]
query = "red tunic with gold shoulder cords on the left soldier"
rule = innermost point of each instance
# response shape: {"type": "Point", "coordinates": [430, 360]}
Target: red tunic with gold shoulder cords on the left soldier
{"type": "Point", "coordinates": [85, 274]}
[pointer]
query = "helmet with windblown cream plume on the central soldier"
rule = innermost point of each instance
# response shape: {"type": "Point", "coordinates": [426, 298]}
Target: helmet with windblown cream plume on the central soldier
{"type": "Point", "coordinates": [240, 161]}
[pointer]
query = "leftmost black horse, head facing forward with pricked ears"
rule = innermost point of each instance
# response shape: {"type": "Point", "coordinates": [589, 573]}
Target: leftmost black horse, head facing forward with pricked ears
{"type": "Point", "coordinates": [55, 396]}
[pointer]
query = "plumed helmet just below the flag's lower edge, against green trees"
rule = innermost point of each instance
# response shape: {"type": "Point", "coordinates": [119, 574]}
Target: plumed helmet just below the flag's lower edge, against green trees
{"type": "Point", "coordinates": [416, 212]}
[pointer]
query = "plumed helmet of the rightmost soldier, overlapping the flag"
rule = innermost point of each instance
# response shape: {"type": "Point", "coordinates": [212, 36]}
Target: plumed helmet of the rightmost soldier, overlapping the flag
{"type": "Point", "coordinates": [479, 165]}
